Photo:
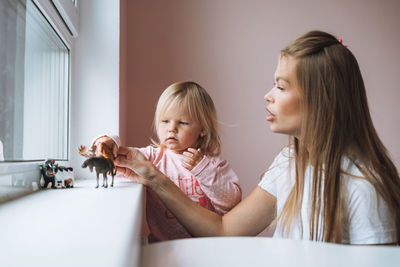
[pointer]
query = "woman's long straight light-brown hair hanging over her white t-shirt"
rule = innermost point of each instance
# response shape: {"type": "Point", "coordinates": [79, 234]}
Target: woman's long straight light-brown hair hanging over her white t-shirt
{"type": "Point", "coordinates": [336, 125]}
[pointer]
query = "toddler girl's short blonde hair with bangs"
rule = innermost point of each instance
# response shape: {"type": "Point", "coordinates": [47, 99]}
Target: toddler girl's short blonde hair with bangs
{"type": "Point", "coordinates": [200, 108]}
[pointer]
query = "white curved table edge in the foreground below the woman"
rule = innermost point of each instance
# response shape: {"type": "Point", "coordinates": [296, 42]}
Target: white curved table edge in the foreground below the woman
{"type": "Point", "coordinates": [263, 251]}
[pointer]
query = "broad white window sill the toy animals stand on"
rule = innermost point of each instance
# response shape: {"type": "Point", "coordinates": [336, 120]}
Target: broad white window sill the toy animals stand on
{"type": "Point", "coordinates": [80, 226]}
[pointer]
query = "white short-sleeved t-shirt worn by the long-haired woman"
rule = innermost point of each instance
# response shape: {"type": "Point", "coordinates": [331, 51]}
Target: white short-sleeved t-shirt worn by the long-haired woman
{"type": "Point", "coordinates": [365, 223]}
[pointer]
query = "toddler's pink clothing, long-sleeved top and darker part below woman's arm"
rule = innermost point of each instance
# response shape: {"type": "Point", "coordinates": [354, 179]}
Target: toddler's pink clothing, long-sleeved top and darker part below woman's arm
{"type": "Point", "coordinates": [211, 183]}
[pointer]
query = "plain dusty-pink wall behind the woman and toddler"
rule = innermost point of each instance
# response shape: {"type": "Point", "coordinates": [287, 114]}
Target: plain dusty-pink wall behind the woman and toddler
{"type": "Point", "coordinates": [231, 48]}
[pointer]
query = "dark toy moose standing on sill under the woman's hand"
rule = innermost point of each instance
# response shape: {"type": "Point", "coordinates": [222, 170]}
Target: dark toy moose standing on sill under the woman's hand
{"type": "Point", "coordinates": [102, 165]}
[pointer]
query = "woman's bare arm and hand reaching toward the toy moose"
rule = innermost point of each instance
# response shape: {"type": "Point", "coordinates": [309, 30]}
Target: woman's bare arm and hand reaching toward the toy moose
{"type": "Point", "coordinates": [249, 217]}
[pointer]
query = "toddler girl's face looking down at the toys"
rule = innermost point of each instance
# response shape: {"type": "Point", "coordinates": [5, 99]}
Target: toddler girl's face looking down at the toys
{"type": "Point", "coordinates": [176, 131]}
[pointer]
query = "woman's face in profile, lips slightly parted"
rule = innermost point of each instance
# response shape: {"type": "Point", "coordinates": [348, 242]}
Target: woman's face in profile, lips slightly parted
{"type": "Point", "coordinates": [284, 104]}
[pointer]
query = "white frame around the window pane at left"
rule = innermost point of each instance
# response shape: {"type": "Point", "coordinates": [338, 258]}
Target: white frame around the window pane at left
{"type": "Point", "coordinates": [29, 170]}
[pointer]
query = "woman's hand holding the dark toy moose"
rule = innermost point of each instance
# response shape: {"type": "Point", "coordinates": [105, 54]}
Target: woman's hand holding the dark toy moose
{"type": "Point", "coordinates": [133, 164]}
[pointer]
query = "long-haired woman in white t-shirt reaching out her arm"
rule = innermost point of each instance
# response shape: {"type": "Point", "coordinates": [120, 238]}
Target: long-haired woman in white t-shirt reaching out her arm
{"type": "Point", "coordinates": [335, 182]}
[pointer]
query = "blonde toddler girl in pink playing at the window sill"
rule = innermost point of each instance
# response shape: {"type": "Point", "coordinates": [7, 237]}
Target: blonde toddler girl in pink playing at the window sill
{"type": "Point", "coordinates": [187, 152]}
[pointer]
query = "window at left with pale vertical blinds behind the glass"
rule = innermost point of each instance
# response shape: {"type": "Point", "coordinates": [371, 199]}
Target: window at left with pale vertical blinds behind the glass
{"type": "Point", "coordinates": [34, 103]}
